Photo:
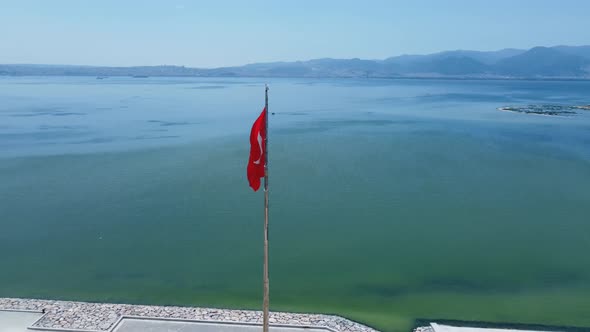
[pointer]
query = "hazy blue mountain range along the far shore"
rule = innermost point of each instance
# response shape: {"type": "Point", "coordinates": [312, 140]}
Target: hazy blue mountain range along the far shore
{"type": "Point", "coordinates": [537, 62]}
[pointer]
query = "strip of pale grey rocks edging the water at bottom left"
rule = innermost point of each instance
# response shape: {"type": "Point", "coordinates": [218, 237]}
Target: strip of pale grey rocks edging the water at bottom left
{"type": "Point", "coordinates": [68, 315]}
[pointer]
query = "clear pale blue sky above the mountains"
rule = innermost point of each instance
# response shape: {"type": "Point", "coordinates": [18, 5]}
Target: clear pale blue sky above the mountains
{"type": "Point", "coordinates": [218, 33]}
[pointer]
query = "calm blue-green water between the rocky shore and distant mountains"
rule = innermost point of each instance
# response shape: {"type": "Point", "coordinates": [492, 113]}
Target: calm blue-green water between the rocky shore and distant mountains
{"type": "Point", "coordinates": [390, 199]}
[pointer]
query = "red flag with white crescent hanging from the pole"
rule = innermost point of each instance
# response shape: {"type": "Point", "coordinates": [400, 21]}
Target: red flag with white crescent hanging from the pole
{"type": "Point", "coordinates": [257, 151]}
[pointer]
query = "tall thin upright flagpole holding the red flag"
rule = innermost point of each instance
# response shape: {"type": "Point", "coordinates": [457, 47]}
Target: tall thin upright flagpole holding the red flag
{"type": "Point", "coordinates": [265, 301]}
